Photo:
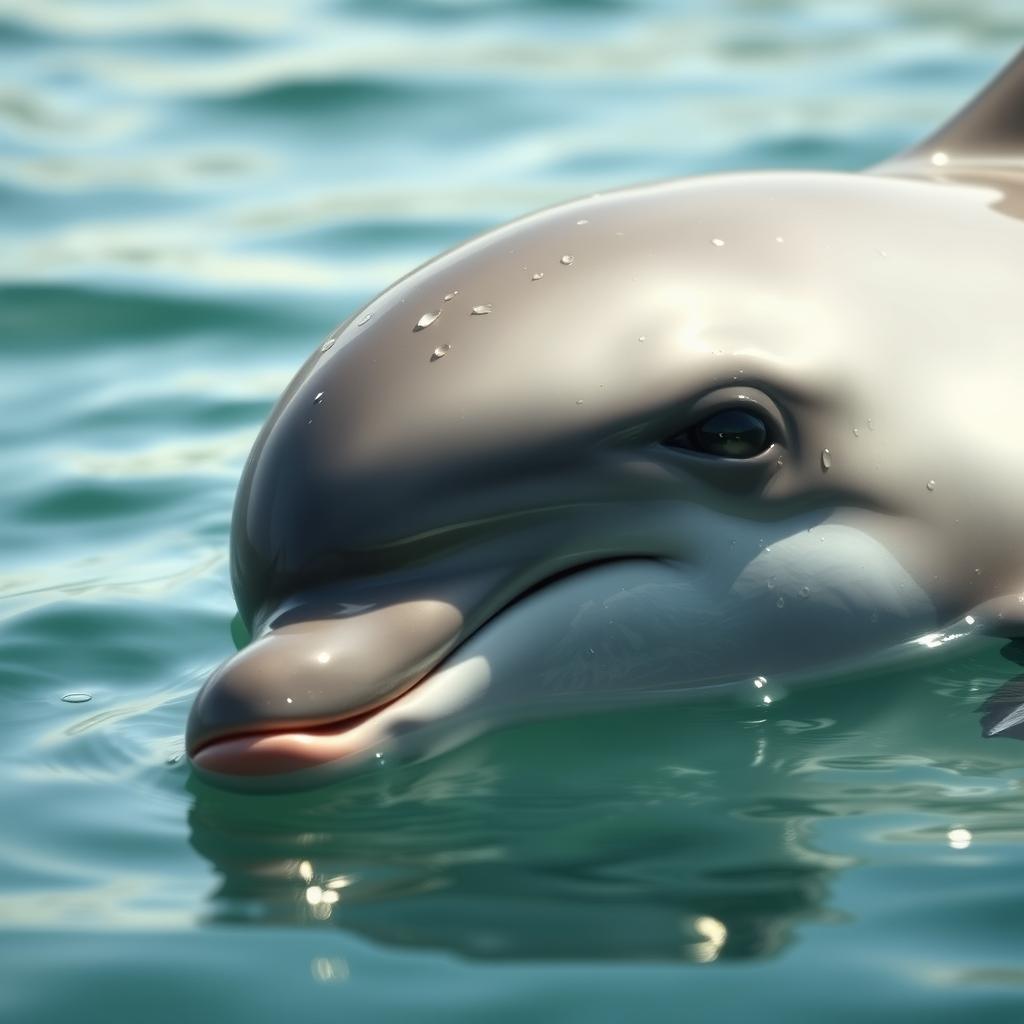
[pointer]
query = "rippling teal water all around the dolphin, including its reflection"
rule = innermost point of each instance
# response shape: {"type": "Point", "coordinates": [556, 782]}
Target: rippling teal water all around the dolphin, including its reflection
{"type": "Point", "coordinates": [192, 197]}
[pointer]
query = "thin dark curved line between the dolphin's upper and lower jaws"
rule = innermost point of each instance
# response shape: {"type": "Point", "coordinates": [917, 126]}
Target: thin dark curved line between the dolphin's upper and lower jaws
{"type": "Point", "coordinates": [337, 728]}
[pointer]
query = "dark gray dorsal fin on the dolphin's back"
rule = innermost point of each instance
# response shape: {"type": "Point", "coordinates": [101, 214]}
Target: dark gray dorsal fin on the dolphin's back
{"type": "Point", "coordinates": [990, 132]}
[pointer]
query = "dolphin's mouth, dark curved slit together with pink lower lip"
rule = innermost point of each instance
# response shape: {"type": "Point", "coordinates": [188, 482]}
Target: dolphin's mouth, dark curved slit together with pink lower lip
{"type": "Point", "coordinates": [283, 750]}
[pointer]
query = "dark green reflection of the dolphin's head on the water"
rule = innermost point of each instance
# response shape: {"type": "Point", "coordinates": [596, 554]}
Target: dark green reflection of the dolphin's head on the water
{"type": "Point", "coordinates": [501, 850]}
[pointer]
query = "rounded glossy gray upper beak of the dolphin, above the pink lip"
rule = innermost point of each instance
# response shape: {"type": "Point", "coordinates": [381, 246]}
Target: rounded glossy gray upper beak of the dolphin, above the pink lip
{"type": "Point", "coordinates": [323, 671]}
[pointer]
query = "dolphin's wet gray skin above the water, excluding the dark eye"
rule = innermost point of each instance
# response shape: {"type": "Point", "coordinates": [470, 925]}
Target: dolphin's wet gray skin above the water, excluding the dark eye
{"type": "Point", "coordinates": [463, 509]}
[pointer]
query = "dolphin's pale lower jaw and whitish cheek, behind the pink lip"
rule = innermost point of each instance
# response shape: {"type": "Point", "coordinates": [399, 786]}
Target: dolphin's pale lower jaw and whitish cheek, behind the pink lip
{"type": "Point", "coordinates": [815, 603]}
